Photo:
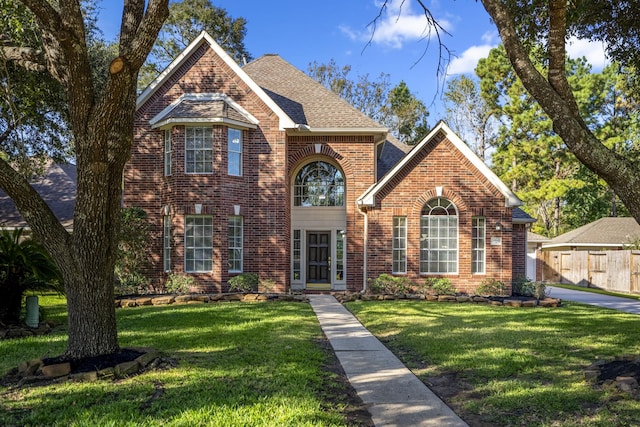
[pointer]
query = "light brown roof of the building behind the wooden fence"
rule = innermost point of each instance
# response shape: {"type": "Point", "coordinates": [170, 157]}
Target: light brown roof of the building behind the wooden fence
{"type": "Point", "coordinates": [605, 232]}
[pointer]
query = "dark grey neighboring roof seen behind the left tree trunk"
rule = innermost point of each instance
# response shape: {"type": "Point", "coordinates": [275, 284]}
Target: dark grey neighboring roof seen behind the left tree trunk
{"type": "Point", "coordinates": [57, 186]}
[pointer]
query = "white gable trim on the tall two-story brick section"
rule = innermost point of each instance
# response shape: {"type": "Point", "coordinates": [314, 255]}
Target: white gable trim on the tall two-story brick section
{"type": "Point", "coordinates": [204, 37]}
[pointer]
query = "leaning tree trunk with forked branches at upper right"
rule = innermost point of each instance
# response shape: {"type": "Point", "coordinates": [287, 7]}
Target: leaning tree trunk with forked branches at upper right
{"type": "Point", "coordinates": [556, 99]}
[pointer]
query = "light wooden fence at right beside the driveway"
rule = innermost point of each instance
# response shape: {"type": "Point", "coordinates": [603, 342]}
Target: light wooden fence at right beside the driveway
{"type": "Point", "coordinates": [611, 270]}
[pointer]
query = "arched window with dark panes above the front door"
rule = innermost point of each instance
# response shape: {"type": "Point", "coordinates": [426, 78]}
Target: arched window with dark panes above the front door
{"type": "Point", "coordinates": [319, 184]}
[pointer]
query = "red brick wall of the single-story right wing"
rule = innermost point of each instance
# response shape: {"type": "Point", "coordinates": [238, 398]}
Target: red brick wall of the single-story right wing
{"type": "Point", "coordinates": [441, 165]}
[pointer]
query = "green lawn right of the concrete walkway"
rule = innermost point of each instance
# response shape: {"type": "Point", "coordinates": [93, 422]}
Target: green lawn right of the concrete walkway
{"type": "Point", "coordinates": [513, 366]}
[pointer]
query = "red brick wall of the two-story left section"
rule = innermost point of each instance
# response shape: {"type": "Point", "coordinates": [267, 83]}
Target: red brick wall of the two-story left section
{"type": "Point", "coordinates": [260, 192]}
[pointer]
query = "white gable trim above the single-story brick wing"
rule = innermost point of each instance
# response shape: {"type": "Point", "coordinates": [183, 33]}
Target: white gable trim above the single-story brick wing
{"type": "Point", "coordinates": [511, 200]}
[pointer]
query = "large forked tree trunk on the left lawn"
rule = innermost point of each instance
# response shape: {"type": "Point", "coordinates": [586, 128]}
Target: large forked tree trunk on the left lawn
{"type": "Point", "coordinates": [103, 131]}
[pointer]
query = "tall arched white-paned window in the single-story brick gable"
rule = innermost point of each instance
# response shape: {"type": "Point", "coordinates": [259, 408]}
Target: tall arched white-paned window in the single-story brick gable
{"type": "Point", "coordinates": [439, 237]}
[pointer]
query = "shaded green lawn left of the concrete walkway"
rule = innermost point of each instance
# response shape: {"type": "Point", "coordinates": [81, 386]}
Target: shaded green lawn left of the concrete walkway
{"type": "Point", "coordinates": [239, 364]}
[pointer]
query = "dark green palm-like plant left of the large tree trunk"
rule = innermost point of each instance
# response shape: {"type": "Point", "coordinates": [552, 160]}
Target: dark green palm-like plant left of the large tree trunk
{"type": "Point", "coordinates": [24, 266]}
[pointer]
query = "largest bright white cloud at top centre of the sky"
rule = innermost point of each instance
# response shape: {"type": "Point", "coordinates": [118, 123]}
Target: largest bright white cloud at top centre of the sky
{"type": "Point", "coordinates": [398, 24]}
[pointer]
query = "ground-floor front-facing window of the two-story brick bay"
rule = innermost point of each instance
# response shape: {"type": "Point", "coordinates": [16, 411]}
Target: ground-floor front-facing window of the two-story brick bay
{"type": "Point", "coordinates": [198, 243]}
